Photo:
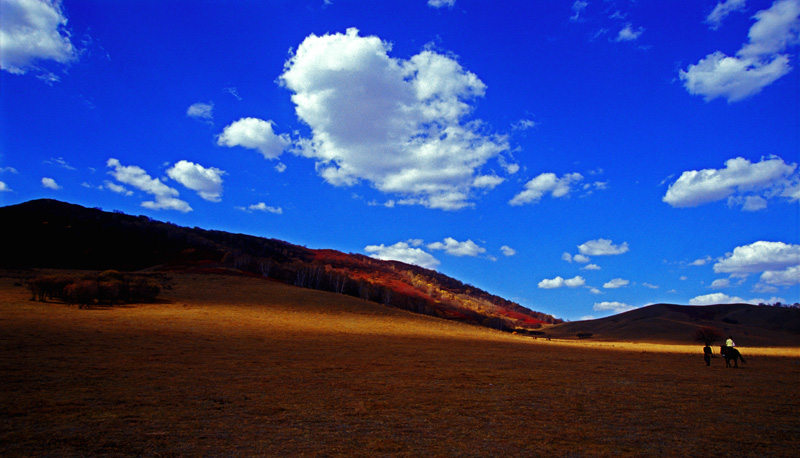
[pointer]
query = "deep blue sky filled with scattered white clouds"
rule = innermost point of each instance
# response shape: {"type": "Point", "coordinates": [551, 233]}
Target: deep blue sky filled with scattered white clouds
{"type": "Point", "coordinates": [581, 158]}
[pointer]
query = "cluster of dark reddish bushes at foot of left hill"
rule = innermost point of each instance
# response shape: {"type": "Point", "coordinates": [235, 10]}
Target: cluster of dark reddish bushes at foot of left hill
{"type": "Point", "coordinates": [106, 288]}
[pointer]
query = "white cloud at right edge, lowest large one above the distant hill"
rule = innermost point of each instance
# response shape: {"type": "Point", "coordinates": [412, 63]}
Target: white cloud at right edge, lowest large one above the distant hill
{"type": "Point", "coordinates": [760, 256]}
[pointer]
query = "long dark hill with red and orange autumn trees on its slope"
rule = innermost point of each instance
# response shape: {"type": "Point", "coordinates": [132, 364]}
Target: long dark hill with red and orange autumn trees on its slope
{"type": "Point", "coordinates": [52, 234]}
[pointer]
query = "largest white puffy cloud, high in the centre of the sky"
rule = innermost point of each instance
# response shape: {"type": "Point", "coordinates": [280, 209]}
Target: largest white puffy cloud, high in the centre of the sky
{"type": "Point", "coordinates": [397, 124]}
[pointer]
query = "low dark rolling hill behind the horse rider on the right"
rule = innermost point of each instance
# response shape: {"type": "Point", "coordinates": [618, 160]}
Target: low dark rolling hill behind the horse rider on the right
{"type": "Point", "coordinates": [750, 325]}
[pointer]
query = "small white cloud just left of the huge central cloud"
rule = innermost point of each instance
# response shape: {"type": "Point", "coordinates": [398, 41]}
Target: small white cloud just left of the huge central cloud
{"type": "Point", "coordinates": [256, 134]}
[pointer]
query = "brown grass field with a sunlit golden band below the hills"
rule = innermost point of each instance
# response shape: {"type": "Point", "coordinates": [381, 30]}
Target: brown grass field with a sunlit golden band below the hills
{"type": "Point", "coordinates": [228, 366]}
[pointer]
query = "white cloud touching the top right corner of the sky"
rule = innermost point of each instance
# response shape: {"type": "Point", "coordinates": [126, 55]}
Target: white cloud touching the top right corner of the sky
{"type": "Point", "coordinates": [756, 65]}
